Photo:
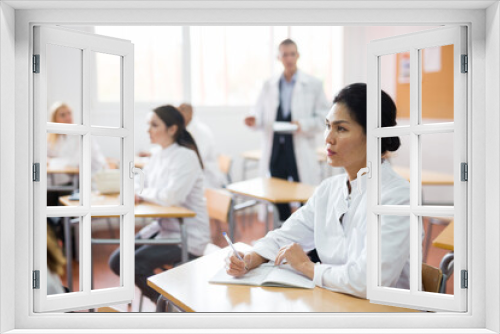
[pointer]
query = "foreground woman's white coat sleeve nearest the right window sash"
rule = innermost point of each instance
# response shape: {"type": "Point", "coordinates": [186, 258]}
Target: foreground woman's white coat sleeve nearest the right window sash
{"type": "Point", "coordinates": [395, 237]}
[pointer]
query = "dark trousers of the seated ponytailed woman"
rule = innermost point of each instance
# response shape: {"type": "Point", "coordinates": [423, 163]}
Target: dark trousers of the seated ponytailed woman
{"type": "Point", "coordinates": [147, 259]}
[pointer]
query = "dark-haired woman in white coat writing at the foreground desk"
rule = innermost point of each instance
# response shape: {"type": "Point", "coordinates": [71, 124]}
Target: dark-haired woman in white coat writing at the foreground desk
{"type": "Point", "coordinates": [333, 221]}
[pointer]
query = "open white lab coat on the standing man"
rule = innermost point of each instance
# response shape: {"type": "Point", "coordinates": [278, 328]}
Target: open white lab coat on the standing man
{"type": "Point", "coordinates": [309, 106]}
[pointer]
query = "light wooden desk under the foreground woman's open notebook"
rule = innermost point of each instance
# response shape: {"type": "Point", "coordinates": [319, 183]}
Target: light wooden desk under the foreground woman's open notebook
{"type": "Point", "coordinates": [187, 287]}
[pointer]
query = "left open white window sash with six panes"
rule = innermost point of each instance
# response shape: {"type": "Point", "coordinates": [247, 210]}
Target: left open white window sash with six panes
{"type": "Point", "coordinates": [87, 43]}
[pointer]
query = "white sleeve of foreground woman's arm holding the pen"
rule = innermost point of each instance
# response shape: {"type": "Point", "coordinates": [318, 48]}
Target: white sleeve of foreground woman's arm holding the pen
{"type": "Point", "coordinates": [299, 228]}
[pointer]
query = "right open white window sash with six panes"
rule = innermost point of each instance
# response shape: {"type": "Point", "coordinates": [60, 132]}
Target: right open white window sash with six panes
{"type": "Point", "coordinates": [414, 44]}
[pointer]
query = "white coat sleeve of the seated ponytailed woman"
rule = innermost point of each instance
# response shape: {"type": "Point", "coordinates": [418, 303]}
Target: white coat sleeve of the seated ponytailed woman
{"type": "Point", "coordinates": [182, 175]}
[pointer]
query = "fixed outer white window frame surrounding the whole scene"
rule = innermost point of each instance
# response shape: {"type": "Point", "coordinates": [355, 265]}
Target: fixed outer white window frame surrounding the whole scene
{"type": "Point", "coordinates": [484, 105]}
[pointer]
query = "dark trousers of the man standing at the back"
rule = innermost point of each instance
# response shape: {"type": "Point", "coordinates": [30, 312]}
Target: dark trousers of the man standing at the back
{"type": "Point", "coordinates": [283, 165]}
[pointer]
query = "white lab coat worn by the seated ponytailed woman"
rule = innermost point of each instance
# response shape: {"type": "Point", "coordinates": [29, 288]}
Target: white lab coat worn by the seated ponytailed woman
{"type": "Point", "coordinates": [174, 178]}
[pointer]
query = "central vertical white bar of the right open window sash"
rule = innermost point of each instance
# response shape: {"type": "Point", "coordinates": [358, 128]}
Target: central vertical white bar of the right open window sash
{"type": "Point", "coordinates": [415, 104]}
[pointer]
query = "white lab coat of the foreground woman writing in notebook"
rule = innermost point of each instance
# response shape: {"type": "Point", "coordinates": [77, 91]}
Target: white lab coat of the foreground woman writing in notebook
{"type": "Point", "coordinates": [341, 247]}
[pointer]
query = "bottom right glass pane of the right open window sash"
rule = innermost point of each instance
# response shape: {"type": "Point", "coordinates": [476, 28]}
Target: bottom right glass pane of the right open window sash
{"type": "Point", "coordinates": [437, 257]}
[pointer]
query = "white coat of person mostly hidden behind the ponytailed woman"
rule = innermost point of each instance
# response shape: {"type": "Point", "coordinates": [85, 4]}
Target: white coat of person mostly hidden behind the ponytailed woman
{"type": "Point", "coordinates": [205, 141]}
